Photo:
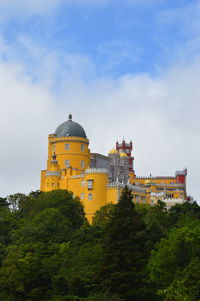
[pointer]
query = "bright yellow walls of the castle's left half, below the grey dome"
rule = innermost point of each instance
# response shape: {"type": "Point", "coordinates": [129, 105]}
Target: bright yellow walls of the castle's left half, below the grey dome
{"type": "Point", "coordinates": [68, 167]}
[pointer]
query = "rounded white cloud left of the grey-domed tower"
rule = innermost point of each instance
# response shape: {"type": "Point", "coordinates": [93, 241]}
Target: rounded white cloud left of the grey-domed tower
{"type": "Point", "coordinates": [27, 114]}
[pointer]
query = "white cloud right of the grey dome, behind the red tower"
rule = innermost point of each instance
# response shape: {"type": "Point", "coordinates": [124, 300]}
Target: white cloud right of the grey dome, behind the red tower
{"type": "Point", "coordinates": [159, 114]}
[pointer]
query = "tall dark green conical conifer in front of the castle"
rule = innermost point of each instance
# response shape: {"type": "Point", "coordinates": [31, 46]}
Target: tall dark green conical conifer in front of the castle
{"type": "Point", "coordinates": [121, 270]}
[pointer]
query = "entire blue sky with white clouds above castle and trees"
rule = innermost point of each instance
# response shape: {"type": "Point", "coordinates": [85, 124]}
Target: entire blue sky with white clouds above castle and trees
{"type": "Point", "coordinates": [126, 68]}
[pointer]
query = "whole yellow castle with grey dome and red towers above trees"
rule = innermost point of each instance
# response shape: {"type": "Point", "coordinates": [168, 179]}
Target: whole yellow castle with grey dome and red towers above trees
{"type": "Point", "coordinates": [97, 179]}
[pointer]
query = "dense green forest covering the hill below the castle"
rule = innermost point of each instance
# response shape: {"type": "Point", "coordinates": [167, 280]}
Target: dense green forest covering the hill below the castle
{"type": "Point", "coordinates": [49, 252]}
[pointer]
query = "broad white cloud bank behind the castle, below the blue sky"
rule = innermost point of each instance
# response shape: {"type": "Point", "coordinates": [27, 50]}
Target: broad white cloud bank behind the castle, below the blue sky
{"type": "Point", "coordinates": [159, 114]}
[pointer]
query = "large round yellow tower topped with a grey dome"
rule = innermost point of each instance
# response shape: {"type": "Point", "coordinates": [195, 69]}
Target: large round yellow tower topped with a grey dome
{"type": "Point", "coordinates": [68, 155]}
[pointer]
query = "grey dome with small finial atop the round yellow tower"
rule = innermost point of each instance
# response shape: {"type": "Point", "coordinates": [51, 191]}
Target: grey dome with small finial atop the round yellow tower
{"type": "Point", "coordinates": [70, 128]}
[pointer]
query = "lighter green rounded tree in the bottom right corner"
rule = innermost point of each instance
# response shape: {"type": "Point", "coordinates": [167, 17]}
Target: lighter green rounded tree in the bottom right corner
{"type": "Point", "coordinates": [175, 262]}
